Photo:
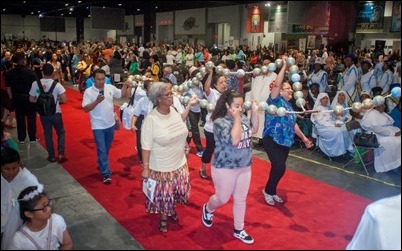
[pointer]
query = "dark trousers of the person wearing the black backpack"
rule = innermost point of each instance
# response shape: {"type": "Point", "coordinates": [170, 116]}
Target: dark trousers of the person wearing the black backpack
{"type": "Point", "coordinates": [48, 122]}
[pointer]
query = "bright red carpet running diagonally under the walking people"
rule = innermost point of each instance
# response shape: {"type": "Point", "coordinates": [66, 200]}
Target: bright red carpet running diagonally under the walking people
{"type": "Point", "coordinates": [315, 216]}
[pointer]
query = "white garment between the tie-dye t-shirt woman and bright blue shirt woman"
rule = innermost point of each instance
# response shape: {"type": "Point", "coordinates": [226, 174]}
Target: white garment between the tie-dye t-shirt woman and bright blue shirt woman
{"type": "Point", "coordinates": [260, 92]}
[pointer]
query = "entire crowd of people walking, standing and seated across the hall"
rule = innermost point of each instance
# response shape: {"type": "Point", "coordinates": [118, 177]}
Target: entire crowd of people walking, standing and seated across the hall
{"type": "Point", "coordinates": [164, 126]}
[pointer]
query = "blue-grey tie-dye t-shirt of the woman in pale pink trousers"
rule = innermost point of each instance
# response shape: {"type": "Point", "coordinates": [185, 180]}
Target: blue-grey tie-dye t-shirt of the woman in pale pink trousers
{"type": "Point", "coordinates": [226, 155]}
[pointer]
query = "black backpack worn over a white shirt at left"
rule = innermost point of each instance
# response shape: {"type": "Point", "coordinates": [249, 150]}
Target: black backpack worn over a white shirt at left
{"type": "Point", "coordinates": [45, 103]}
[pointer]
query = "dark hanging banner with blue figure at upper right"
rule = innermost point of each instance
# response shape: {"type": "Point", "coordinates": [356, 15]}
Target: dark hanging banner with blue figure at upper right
{"type": "Point", "coordinates": [370, 18]}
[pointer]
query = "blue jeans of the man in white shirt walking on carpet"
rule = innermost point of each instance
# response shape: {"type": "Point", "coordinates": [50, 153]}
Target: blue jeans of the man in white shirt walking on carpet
{"type": "Point", "coordinates": [103, 139]}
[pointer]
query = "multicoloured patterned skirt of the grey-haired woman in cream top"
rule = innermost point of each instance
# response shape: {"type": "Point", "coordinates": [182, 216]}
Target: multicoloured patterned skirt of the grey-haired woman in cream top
{"type": "Point", "coordinates": [171, 188]}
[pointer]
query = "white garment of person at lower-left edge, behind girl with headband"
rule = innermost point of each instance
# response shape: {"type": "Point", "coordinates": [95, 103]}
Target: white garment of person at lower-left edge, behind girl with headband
{"type": "Point", "coordinates": [10, 212]}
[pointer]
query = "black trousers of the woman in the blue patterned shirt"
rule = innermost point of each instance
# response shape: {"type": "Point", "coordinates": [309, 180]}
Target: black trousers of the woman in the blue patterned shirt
{"type": "Point", "coordinates": [278, 155]}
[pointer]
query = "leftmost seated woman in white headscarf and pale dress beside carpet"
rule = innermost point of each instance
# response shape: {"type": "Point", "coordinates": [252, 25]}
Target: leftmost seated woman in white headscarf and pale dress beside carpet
{"type": "Point", "coordinates": [332, 136]}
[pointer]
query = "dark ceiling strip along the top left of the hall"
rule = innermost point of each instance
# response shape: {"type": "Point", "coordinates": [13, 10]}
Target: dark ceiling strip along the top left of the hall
{"type": "Point", "coordinates": [82, 8]}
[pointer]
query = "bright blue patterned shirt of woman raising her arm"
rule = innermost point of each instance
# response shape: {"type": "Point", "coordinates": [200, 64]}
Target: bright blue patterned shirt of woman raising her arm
{"type": "Point", "coordinates": [281, 129]}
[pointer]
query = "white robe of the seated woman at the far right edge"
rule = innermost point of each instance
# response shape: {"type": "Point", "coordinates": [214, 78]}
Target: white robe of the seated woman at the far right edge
{"type": "Point", "coordinates": [388, 155]}
